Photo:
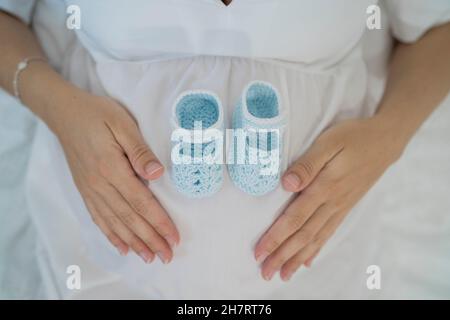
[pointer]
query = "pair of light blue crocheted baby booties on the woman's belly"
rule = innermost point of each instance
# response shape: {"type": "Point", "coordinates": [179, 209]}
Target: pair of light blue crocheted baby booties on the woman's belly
{"type": "Point", "coordinates": [257, 113]}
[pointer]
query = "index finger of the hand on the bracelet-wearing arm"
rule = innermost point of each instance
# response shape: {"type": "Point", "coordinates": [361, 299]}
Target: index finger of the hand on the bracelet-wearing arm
{"type": "Point", "coordinates": [142, 201]}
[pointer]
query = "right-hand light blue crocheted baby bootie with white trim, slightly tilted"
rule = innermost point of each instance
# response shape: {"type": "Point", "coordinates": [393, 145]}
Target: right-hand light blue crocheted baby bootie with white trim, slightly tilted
{"type": "Point", "coordinates": [254, 159]}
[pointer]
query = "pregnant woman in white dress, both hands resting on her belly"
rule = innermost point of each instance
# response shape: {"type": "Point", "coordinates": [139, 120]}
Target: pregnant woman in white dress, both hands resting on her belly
{"type": "Point", "coordinates": [102, 78]}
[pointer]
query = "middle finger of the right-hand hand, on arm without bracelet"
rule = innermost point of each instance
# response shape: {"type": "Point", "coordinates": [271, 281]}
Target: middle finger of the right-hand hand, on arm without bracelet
{"type": "Point", "coordinates": [296, 242]}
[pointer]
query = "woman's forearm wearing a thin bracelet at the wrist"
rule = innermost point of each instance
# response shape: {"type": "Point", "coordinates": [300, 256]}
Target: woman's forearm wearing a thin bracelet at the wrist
{"type": "Point", "coordinates": [41, 88]}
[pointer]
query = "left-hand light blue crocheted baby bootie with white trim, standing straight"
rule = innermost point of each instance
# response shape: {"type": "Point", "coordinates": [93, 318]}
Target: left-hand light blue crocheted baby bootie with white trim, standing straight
{"type": "Point", "coordinates": [197, 140]}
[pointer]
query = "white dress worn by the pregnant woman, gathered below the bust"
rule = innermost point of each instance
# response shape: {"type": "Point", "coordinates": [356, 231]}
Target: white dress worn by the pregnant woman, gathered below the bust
{"type": "Point", "coordinates": [319, 54]}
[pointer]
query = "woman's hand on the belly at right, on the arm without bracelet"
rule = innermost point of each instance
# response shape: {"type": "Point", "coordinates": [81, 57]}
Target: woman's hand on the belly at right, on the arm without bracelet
{"type": "Point", "coordinates": [330, 178]}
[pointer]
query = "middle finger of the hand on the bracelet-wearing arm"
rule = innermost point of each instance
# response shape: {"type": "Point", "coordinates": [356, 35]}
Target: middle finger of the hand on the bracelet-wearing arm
{"type": "Point", "coordinates": [137, 224]}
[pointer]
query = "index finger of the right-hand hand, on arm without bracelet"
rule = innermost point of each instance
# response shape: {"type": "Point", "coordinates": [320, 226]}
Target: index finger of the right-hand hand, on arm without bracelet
{"type": "Point", "coordinates": [288, 223]}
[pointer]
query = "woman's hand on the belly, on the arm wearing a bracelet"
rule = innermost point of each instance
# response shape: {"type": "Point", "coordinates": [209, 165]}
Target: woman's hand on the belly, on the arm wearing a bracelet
{"type": "Point", "coordinates": [110, 161]}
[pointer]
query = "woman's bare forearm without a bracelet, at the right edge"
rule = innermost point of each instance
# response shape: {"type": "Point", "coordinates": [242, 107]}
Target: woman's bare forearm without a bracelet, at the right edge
{"type": "Point", "coordinates": [419, 80]}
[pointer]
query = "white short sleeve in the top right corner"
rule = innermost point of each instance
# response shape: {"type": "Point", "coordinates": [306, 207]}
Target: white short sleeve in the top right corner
{"type": "Point", "coordinates": [410, 19]}
